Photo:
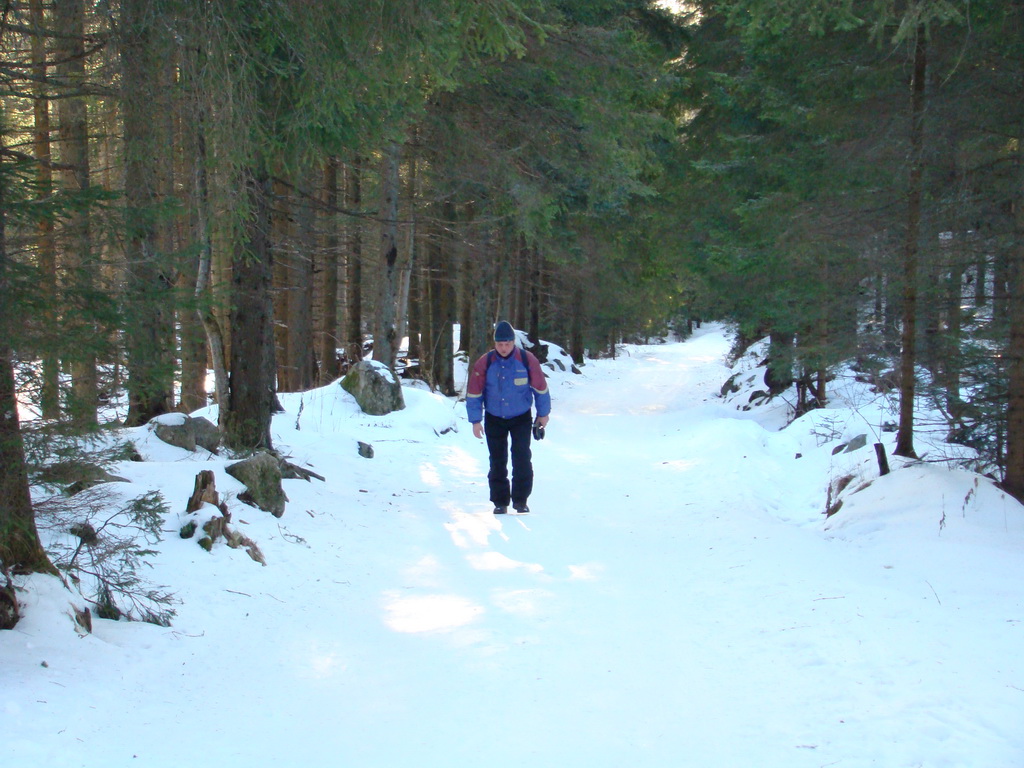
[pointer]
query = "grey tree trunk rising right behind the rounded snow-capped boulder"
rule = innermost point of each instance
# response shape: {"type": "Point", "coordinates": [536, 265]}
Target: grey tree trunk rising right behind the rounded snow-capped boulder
{"type": "Point", "coordinates": [386, 344]}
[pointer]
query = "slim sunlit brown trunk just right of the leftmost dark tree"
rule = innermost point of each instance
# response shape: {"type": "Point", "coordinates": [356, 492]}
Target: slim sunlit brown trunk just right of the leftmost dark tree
{"type": "Point", "coordinates": [51, 396]}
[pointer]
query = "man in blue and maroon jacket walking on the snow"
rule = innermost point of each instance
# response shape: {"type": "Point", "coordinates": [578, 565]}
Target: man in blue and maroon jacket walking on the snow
{"type": "Point", "coordinates": [504, 386]}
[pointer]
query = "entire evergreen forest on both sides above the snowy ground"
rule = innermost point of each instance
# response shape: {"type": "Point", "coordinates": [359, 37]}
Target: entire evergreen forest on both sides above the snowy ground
{"type": "Point", "coordinates": [190, 187]}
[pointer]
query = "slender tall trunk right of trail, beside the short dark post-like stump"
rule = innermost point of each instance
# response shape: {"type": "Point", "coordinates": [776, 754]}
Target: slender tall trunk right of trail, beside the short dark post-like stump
{"type": "Point", "coordinates": [909, 338]}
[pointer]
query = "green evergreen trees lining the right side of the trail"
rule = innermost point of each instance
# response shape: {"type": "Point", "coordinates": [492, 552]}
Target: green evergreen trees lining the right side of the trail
{"type": "Point", "coordinates": [809, 190]}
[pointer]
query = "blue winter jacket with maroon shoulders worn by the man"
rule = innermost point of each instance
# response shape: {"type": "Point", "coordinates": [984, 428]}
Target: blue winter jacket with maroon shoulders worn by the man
{"type": "Point", "coordinates": [507, 387]}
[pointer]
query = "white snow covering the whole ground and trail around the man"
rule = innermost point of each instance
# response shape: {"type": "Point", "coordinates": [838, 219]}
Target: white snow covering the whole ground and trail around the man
{"type": "Point", "coordinates": [677, 599]}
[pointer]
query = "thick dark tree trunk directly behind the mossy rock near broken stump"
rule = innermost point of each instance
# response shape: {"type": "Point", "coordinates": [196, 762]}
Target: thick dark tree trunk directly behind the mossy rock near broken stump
{"type": "Point", "coordinates": [251, 397]}
